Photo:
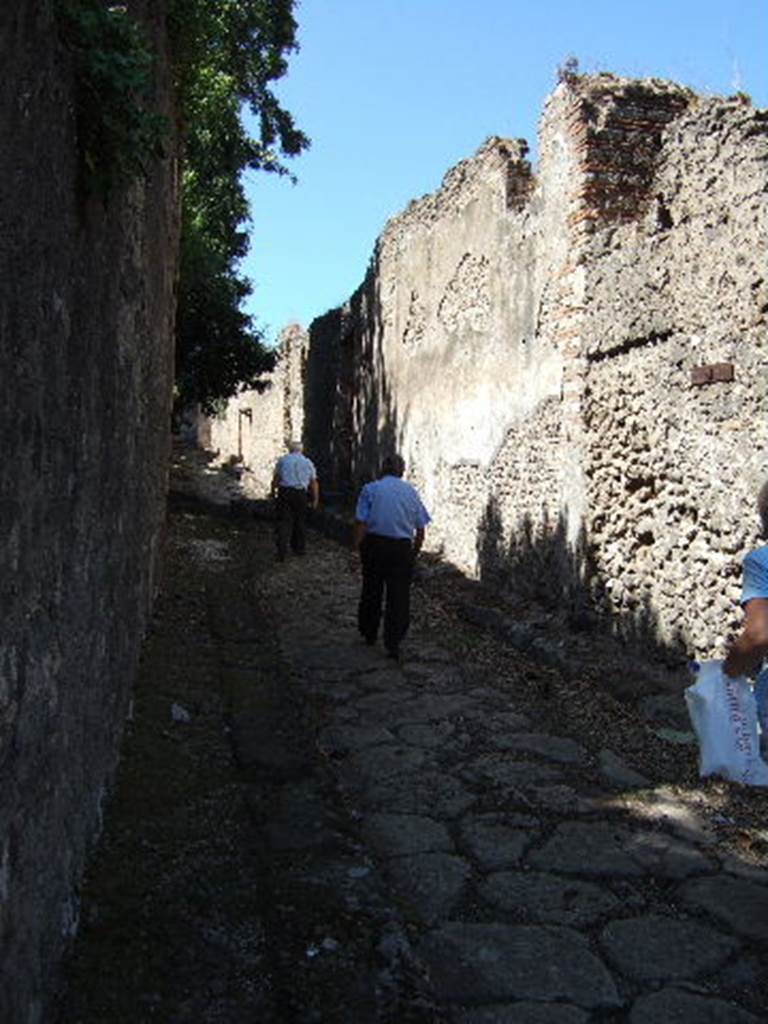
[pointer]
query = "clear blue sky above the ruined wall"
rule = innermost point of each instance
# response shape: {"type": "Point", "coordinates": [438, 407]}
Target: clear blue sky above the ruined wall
{"type": "Point", "coordinates": [395, 93]}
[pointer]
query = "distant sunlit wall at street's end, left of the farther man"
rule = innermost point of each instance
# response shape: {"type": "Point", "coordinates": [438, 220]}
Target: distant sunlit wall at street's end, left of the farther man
{"type": "Point", "coordinates": [257, 424]}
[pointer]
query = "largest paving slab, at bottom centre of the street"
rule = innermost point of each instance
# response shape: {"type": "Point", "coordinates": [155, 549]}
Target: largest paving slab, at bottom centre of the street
{"type": "Point", "coordinates": [472, 963]}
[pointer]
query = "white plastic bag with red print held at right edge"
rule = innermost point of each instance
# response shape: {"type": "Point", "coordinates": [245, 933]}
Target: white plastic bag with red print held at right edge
{"type": "Point", "coordinates": [724, 716]}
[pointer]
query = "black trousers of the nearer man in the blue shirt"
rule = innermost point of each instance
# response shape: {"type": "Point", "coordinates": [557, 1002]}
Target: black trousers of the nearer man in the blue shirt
{"type": "Point", "coordinates": [388, 572]}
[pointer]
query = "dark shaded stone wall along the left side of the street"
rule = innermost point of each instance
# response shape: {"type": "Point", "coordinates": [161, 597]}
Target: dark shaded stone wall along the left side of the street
{"type": "Point", "coordinates": [87, 302]}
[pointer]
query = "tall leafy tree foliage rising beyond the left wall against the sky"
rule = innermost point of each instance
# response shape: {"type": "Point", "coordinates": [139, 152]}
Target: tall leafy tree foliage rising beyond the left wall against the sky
{"type": "Point", "coordinates": [227, 55]}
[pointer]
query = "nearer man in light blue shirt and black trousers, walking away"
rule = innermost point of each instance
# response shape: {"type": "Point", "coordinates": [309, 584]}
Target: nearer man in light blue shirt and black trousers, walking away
{"type": "Point", "coordinates": [388, 536]}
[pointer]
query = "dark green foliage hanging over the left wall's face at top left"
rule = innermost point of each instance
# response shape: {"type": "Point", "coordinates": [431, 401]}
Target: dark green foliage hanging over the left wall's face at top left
{"type": "Point", "coordinates": [118, 133]}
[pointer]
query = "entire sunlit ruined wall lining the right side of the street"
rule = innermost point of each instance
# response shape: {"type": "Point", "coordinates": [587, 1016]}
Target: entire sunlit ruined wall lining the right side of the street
{"type": "Point", "coordinates": [574, 362]}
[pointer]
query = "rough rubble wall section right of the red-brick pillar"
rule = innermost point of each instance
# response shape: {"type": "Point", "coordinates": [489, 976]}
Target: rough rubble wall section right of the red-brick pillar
{"type": "Point", "coordinates": [679, 283]}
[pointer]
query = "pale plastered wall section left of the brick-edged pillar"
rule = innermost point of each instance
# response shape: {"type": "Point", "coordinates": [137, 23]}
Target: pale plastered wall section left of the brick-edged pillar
{"type": "Point", "coordinates": [455, 337]}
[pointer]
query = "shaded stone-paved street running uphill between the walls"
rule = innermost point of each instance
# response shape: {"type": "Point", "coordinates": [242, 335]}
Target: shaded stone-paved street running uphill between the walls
{"type": "Point", "coordinates": [305, 831]}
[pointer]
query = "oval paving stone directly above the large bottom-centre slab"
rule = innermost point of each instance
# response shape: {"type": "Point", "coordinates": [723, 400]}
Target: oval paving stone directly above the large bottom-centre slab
{"type": "Point", "coordinates": [548, 900]}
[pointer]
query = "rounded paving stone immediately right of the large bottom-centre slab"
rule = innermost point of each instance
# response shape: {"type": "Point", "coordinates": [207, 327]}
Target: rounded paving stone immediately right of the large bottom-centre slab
{"type": "Point", "coordinates": [656, 949]}
